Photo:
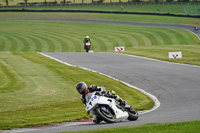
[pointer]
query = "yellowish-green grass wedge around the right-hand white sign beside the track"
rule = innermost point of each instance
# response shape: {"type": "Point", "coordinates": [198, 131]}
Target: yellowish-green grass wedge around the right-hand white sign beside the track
{"type": "Point", "coordinates": [191, 53]}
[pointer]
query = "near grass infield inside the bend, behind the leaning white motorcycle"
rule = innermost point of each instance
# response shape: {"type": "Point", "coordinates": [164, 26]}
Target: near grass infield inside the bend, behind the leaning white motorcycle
{"type": "Point", "coordinates": [41, 91]}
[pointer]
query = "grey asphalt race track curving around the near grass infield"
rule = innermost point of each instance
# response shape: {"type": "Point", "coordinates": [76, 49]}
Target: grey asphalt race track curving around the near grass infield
{"type": "Point", "coordinates": [176, 86]}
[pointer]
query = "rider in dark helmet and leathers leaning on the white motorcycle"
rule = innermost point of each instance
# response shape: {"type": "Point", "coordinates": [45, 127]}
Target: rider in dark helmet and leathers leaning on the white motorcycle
{"type": "Point", "coordinates": [83, 89]}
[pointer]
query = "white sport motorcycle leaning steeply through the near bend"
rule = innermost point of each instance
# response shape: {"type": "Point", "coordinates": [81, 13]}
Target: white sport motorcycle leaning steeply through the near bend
{"type": "Point", "coordinates": [108, 109]}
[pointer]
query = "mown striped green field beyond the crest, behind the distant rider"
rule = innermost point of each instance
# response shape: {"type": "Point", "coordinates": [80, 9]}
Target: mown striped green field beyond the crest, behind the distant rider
{"type": "Point", "coordinates": [153, 42]}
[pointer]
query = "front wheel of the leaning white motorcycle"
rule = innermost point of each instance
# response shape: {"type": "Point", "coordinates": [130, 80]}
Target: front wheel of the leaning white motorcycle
{"type": "Point", "coordinates": [105, 113]}
